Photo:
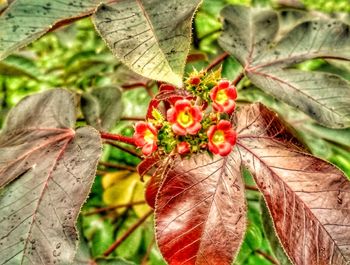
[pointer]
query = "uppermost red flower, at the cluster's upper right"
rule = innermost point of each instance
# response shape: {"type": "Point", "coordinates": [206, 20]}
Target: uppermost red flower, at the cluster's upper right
{"type": "Point", "coordinates": [223, 96]}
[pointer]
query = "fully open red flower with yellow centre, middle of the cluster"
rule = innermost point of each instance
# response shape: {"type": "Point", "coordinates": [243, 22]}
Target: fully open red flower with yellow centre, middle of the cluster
{"type": "Point", "coordinates": [184, 117]}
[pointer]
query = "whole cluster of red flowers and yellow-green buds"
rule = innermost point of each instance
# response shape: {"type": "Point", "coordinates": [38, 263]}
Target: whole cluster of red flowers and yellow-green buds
{"type": "Point", "coordinates": [187, 126]}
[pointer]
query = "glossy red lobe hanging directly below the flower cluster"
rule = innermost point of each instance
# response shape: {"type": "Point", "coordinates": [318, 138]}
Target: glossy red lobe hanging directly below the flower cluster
{"type": "Point", "coordinates": [201, 211]}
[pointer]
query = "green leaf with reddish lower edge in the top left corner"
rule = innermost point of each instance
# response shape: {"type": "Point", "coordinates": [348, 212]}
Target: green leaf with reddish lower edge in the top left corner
{"type": "Point", "coordinates": [23, 22]}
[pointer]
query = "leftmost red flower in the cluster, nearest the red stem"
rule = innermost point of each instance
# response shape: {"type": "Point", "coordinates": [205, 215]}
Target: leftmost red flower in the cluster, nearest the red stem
{"type": "Point", "coordinates": [145, 136]}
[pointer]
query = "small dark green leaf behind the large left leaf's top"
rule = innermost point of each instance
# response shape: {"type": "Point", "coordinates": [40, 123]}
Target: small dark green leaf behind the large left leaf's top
{"type": "Point", "coordinates": [102, 107]}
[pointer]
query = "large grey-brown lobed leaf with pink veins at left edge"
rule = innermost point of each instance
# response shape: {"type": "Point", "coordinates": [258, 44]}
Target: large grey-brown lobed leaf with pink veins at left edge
{"type": "Point", "coordinates": [48, 169]}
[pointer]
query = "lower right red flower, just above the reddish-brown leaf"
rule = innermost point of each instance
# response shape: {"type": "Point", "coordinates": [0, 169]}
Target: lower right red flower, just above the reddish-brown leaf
{"type": "Point", "coordinates": [221, 138]}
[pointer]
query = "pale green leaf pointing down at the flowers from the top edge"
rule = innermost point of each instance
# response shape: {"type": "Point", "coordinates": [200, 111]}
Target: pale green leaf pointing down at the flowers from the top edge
{"type": "Point", "coordinates": [151, 37]}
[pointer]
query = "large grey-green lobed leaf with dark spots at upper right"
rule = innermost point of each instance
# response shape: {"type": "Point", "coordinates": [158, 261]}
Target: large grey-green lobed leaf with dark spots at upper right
{"type": "Point", "coordinates": [325, 97]}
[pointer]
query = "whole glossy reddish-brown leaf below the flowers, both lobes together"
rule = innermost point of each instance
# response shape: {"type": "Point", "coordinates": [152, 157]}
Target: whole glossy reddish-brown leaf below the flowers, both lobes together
{"type": "Point", "coordinates": [200, 207]}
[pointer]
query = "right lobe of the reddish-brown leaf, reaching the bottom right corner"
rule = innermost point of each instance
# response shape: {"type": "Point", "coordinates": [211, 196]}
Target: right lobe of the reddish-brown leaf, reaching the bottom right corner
{"type": "Point", "coordinates": [308, 198]}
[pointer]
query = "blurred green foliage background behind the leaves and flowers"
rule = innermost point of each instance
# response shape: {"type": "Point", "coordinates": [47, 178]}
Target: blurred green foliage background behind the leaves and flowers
{"type": "Point", "coordinates": [76, 58]}
